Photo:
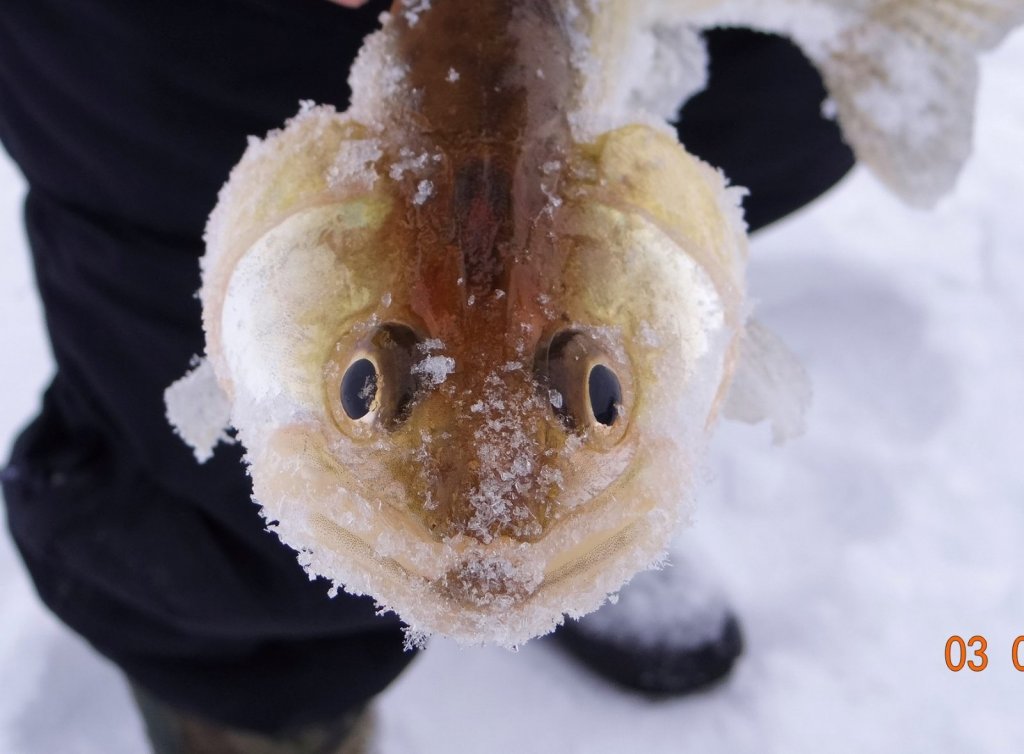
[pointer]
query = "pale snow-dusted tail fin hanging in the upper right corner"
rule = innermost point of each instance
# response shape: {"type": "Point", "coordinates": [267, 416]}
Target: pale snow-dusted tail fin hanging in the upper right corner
{"type": "Point", "coordinates": [904, 85]}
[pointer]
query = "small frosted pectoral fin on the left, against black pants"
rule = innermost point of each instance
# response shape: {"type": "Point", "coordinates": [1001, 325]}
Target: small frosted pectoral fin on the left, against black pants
{"type": "Point", "coordinates": [199, 410]}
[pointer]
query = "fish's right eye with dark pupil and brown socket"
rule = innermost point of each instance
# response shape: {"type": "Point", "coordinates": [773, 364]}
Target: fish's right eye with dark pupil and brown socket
{"type": "Point", "coordinates": [584, 383]}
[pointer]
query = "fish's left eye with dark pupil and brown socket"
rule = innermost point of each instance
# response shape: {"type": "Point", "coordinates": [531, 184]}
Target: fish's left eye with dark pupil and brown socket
{"type": "Point", "coordinates": [370, 381]}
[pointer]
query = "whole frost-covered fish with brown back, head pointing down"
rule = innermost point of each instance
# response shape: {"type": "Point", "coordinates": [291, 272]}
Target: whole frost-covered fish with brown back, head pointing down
{"type": "Point", "coordinates": [477, 331]}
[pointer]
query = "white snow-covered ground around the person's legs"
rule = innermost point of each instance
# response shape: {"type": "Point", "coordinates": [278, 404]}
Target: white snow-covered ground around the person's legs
{"type": "Point", "coordinates": [851, 554]}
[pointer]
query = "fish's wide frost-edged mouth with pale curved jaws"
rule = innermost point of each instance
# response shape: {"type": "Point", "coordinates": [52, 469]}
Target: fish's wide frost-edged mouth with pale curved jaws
{"type": "Point", "coordinates": [504, 592]}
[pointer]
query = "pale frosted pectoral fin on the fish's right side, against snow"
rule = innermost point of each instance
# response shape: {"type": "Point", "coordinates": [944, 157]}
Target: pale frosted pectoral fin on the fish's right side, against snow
{"type": "Point", "coordinates": [770, 384]}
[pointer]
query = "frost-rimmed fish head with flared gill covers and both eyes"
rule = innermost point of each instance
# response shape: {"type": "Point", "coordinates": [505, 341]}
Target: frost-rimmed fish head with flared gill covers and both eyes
{"type": "Point", "coordinates": [485, 438]}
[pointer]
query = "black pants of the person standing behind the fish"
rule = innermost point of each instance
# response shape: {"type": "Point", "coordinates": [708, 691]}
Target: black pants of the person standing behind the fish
{"type": "Point", "coordinates": [125, 118]}
